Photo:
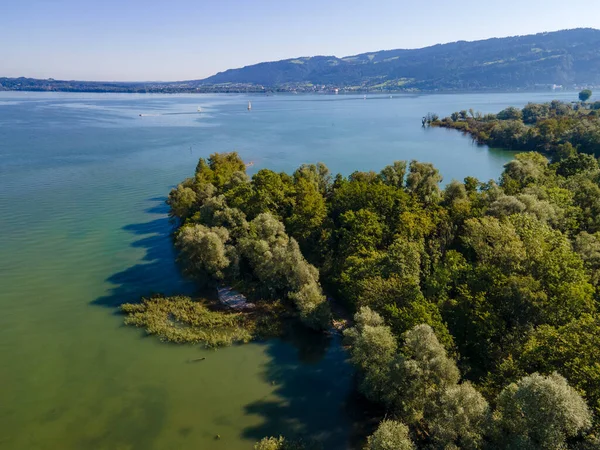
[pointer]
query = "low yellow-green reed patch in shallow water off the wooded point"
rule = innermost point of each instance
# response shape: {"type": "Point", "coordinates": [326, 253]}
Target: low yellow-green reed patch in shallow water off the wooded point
{"type": "Point", "coordinates": [183, 320]}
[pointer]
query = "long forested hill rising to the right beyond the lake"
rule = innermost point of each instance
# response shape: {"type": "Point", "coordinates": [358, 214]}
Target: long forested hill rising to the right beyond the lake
{"type": "Point", "coordinates": [563, 57]}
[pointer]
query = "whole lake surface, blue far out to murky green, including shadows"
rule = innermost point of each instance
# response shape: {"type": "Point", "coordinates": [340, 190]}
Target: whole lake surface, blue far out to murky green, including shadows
{"type": "Point", "coordinates": [83, 228]}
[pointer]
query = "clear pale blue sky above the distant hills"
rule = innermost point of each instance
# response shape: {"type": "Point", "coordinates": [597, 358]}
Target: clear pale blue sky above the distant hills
{"type": "Point", "coordinates": [169, 40]}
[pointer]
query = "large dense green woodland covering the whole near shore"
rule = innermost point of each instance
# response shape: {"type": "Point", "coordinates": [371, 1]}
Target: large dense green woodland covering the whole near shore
{"type": "Point", "coordinates": [476, 306]}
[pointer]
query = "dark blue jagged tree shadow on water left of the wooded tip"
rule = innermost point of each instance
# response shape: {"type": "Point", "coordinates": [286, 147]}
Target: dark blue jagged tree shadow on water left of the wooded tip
{"type": "Point", "coordinates": [157, 272]}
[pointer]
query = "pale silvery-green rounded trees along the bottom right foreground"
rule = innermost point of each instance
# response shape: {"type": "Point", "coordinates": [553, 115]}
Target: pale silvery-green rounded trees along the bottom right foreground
{"type": "Point", "coordinates": [420, 386]}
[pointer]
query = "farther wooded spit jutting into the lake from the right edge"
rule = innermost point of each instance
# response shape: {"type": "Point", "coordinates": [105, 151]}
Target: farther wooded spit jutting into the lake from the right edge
{"type": "Point", "coordinates": [553, 128]}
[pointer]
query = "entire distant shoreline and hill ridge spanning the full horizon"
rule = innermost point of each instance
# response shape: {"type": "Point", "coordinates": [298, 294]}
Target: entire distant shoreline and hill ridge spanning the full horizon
{"type": "Point", "coordinates": [567, 57]}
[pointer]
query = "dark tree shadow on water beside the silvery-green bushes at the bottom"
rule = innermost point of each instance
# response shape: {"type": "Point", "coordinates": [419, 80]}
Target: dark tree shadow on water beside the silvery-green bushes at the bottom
{"type": "Point", "coordinates": [313, 381]}
